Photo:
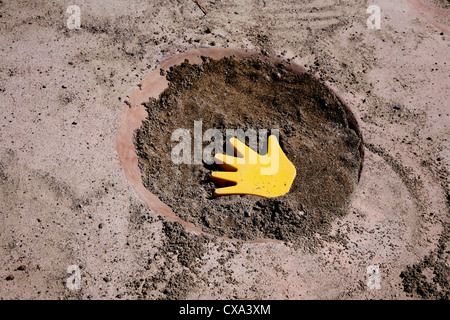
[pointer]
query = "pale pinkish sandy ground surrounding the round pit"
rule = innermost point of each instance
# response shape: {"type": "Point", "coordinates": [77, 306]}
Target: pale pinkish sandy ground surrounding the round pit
{"type": "Point", "coordinates": [64, 197]}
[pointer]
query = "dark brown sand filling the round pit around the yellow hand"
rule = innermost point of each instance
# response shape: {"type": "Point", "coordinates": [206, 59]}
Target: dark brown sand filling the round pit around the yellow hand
{"type": "Point", "coordinates": [316, 131]}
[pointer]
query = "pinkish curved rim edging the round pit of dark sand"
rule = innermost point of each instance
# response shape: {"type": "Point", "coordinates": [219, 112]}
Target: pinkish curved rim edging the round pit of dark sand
{"type": "Point", "coordinates": [153, 84]}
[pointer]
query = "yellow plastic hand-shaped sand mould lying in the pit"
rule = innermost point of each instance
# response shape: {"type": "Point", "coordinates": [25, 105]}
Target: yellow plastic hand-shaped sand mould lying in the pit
{"type": "Point", "coordinates": [266, 176]}
